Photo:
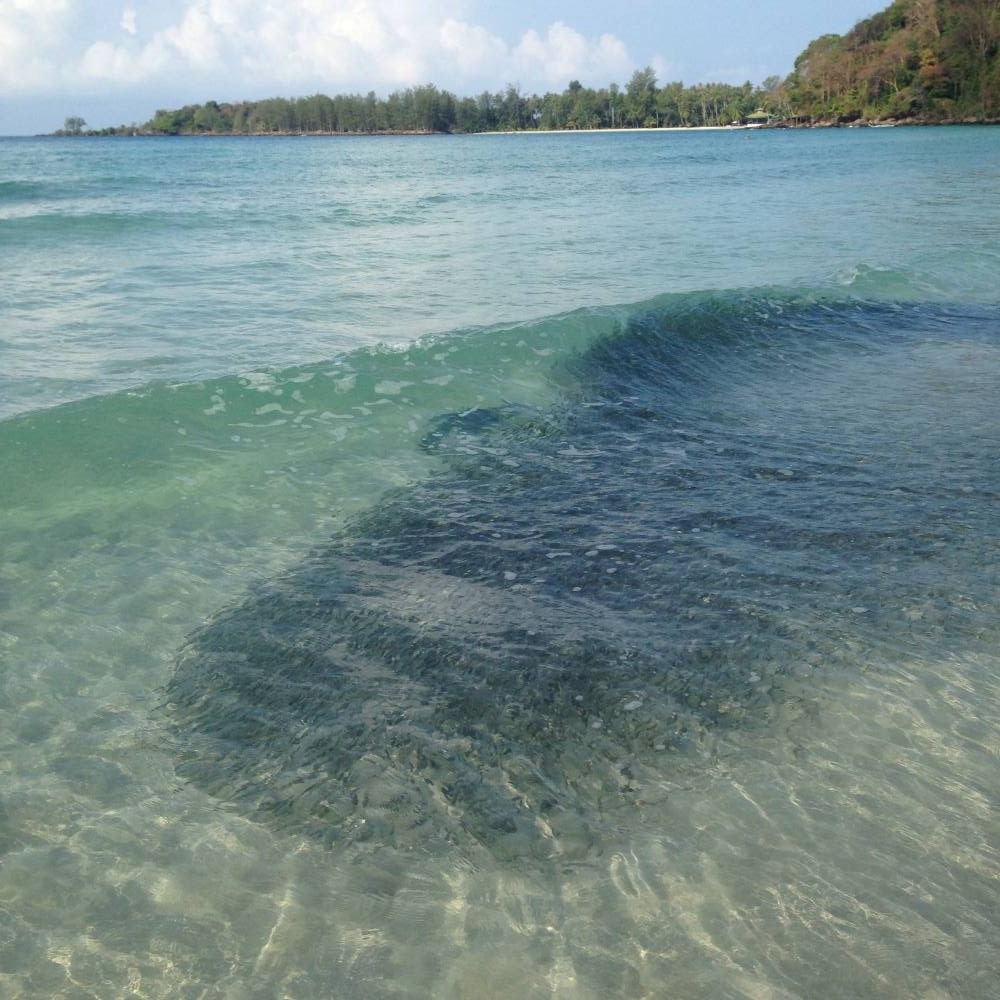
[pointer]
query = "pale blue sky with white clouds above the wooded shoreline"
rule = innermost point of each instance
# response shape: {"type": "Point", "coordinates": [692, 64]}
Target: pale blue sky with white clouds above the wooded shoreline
{"type": "Point", "coordinates": [115, 62]}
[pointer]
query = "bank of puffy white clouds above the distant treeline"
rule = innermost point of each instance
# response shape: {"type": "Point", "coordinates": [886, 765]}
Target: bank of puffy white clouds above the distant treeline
{"type": "Point", "coordinates": [249, 46]}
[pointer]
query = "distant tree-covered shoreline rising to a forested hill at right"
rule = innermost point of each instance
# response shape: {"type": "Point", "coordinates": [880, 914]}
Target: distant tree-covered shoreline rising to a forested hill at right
{"type": "Point", "coordinates": [916, 62]}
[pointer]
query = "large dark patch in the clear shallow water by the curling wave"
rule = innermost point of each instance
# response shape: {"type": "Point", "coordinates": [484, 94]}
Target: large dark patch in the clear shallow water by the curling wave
{"type": "Point", "coordinates": [511, 654]}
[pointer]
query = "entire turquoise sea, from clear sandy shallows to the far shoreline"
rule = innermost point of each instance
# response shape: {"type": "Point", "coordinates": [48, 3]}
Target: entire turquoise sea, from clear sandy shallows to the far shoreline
{"type": "Point", "coordinates": [501, 566]}
